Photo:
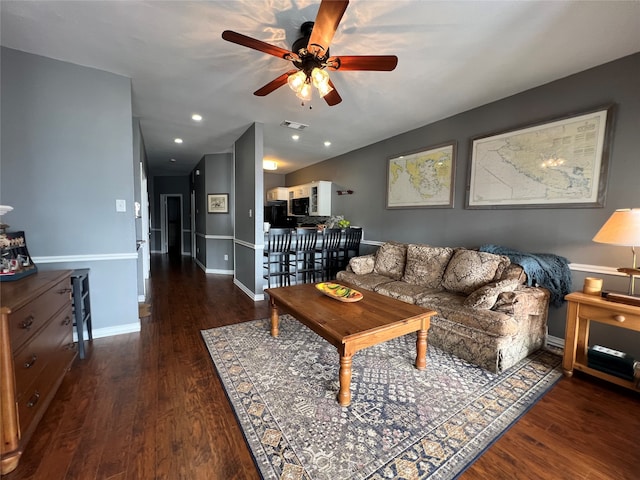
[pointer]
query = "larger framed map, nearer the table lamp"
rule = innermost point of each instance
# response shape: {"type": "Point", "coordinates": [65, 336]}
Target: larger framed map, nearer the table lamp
{"type": "Point", "coordinates": [562, 163]}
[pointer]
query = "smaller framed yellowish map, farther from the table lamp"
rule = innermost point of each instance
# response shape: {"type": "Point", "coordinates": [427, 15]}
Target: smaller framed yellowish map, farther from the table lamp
{"type": "Point", "coordinates": [422, 179]}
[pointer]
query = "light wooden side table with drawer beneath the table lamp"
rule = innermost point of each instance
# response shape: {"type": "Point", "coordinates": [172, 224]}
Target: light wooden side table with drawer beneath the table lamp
{"type": "Point", "coordinates": [581, 311]}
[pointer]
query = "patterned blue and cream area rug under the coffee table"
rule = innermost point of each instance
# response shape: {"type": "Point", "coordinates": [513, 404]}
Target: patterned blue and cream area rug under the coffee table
{"type": "Point", "coordinates": [402, 423]}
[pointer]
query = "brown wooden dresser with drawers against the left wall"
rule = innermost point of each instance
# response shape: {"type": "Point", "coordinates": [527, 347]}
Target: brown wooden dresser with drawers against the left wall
{"type": "Point", "coordinates": [36, 350]}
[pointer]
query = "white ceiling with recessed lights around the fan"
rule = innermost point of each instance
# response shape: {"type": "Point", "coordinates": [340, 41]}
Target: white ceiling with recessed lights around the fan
{"type": "Point", "coordinates": [453, 56]}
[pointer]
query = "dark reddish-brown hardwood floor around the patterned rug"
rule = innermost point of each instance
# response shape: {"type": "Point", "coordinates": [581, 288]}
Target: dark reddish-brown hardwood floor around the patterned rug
{"type": "Point", "coordinates": [150, 405]}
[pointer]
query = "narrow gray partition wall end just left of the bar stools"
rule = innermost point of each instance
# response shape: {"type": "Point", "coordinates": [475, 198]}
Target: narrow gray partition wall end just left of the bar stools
{"type": "Point", "coordinates": [249, 188]}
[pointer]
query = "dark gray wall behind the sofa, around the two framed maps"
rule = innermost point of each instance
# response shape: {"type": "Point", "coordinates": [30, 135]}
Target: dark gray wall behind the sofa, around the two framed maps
{"type": "Point", "coordinates": [563, 231]}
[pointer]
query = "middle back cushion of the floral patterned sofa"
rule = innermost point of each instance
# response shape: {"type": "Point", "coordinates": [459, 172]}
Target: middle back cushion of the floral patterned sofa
{"type": "Point", "coordinates": [426, 265]}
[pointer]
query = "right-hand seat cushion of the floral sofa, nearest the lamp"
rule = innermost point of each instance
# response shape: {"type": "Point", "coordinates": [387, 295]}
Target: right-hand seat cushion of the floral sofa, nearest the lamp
{"type": "Point", "coordinates": [451, 306]}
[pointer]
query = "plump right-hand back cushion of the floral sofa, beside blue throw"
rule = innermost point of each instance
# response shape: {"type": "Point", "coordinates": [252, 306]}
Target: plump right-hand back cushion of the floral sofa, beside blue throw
{"type": "Point", "coordinates": [469, 270]}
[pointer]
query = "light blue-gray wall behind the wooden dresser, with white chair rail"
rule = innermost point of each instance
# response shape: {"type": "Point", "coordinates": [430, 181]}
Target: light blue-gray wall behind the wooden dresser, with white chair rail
{"type": "Point", "coordinates": [67, 155]}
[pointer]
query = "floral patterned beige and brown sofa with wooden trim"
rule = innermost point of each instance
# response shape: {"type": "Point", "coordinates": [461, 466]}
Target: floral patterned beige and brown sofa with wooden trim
{"type": "Point", "coordinates": [487, 314]}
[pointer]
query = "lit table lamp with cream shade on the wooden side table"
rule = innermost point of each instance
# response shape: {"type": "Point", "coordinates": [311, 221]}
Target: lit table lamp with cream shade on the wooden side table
{"type": "Point", "coordinates": [623, 228]}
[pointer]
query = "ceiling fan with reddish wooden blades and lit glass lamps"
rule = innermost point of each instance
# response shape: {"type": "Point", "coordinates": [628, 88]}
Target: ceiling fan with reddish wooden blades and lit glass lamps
{"type": "Point", "coordinates": [310, 56]}
